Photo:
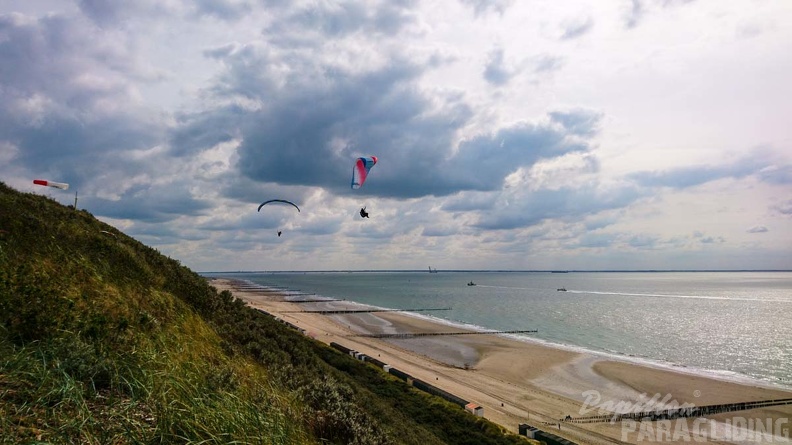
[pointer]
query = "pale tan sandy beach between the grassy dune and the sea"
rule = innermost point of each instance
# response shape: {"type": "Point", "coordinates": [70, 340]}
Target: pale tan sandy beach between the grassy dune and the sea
{"type": "Point", "coordinates": [526, 382]}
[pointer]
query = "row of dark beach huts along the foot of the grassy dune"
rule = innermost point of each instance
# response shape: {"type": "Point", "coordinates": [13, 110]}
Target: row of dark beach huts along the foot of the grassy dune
{"type": "Point", "coordinates": [471, 407]}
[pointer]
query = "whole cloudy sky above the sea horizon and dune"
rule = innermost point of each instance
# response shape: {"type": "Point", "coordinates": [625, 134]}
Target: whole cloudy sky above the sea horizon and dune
{"type": "Point", "coordinates": [510, 134]}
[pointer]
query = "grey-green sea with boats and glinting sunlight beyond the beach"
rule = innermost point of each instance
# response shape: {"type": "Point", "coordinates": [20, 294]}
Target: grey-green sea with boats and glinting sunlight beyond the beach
{"type": "Point", "coordinates": [732, 325]}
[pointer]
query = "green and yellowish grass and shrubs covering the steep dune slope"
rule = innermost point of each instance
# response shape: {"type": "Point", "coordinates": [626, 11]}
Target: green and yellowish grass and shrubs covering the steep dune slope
{"type": "Point", "coordinates": [105, 340]}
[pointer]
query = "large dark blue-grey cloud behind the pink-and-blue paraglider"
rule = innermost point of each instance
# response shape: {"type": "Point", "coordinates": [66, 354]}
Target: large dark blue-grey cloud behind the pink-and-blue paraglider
{"type": "Point", "coordinates": [313, 122]}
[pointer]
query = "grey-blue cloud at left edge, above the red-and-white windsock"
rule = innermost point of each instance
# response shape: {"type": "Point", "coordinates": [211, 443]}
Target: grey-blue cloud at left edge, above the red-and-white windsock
{"type": "Point", "coordinates": [74, 127]}
